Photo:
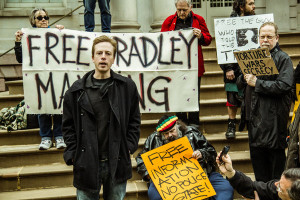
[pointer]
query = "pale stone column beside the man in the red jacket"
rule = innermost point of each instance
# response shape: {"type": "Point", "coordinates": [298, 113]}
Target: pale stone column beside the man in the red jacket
{"type": "Point", "coordinates": [161, 9]}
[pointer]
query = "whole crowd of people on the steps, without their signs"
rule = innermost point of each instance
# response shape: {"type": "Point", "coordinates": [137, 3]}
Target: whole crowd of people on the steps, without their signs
{"type": "Point", "coordinates": [100, 131]}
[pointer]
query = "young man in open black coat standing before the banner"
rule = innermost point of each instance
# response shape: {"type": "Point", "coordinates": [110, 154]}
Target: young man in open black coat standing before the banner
{"type": "Point", "coordinates": [101, 126]}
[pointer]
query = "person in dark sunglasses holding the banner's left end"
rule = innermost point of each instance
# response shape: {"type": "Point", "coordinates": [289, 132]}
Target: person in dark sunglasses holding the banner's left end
{"type": "Point", "coordinates": [39, 18]}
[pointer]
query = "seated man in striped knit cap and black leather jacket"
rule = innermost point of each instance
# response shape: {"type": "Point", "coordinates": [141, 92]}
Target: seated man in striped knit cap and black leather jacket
{"type": "Point", "coordinates": [169, 129]}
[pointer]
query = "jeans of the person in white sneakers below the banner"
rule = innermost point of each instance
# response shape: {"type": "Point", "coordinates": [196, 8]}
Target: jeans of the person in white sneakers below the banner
{"type": "Point", "coordinates": [45, 123]}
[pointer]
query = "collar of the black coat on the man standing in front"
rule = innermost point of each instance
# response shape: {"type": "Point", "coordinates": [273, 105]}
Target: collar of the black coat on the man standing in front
{"type": "Point", "coordinates": [80, 84]}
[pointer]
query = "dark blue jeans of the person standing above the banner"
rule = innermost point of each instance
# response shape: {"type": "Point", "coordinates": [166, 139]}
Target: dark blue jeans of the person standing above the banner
{"type": "Point", "coordinates": [89, 19]}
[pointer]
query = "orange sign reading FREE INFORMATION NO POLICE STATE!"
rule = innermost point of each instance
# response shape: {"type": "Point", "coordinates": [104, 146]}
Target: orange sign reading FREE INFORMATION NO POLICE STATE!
{"type": "Point", "coordinates": [175, 174]}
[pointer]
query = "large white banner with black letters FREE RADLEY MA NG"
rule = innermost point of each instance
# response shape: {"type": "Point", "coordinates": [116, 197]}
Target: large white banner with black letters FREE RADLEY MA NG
{"type": "Point", "coordinates": [164, 67]}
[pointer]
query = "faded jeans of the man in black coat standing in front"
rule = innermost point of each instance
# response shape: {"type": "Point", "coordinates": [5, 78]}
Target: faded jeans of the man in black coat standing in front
{"type": "Point", "coordinates": [111, 191]}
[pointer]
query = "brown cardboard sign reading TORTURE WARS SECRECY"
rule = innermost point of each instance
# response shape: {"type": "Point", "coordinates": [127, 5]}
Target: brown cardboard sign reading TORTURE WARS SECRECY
{"type": "Point", "coordinates": [257, 62]}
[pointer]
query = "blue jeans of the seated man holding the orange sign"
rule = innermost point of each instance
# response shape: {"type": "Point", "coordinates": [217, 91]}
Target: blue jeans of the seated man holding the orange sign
{"type": "Point", "coordinates": [222, 187]}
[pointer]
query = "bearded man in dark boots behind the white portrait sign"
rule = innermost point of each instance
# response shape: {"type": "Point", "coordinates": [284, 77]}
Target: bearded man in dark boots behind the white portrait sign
{"type": "Point", "coordinates": [232, 71]}
